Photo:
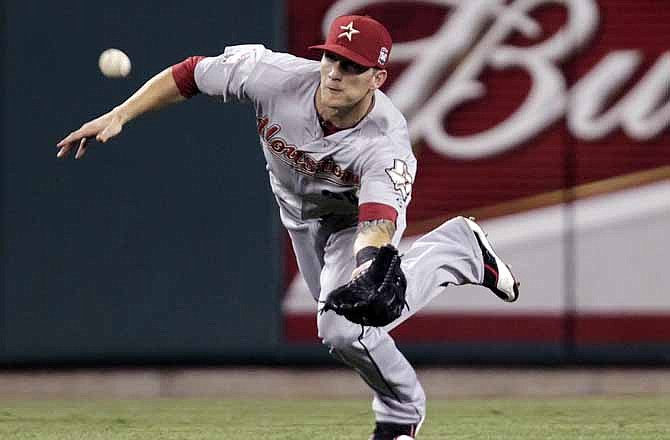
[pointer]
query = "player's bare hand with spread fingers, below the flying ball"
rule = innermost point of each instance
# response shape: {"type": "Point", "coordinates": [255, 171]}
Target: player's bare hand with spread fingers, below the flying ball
{"type": "Point", "coordinates": [102, 128]}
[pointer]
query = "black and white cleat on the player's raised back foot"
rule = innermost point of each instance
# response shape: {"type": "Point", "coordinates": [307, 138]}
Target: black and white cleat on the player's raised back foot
{"type": "Point", "coordinates": [497, 275]}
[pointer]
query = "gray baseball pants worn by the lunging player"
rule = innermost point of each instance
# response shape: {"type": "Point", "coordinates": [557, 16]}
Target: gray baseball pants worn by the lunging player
{"type": "Point", "coordinates": [448, 254]}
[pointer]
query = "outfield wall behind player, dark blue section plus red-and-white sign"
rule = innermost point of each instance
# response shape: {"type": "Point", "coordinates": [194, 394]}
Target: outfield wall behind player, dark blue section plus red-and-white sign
{"type": "Point", "coordinates": [164, 246]}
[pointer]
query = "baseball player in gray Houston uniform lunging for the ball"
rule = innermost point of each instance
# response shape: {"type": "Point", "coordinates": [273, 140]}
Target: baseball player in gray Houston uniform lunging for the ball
{"type": "Point", "coordinates": [341, 168]}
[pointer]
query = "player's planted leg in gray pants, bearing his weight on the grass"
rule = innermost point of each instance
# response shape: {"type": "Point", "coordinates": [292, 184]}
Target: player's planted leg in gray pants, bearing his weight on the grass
{"type": "Point", "coordinates": [399, 398]}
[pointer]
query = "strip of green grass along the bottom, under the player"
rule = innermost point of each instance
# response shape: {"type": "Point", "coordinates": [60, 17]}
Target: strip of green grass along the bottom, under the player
{"type": "Point", "coordinates": [173, 419]}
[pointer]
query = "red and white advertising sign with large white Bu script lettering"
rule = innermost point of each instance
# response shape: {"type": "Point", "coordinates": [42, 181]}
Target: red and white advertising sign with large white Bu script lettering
{"type": "Point", "coordinates": [530, 114]}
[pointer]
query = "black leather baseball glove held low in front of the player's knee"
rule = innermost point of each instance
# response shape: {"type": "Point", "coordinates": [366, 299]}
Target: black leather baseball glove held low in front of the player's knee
{"type": "Point", "coordinates": [376, 296]}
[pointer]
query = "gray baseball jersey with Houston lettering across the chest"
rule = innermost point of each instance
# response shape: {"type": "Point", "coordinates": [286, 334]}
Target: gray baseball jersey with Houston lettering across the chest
{"type": "Point", "coordinates": [314, 176]}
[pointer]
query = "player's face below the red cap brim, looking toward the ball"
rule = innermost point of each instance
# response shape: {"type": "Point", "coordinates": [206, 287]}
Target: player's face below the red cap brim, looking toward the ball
{"type": "Point", "coordinates": [345, 83]}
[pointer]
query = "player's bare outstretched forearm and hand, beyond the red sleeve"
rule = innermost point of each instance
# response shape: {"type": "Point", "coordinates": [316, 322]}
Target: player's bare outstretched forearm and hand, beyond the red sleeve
{"type": "Point", "coordinates": [158, 92]}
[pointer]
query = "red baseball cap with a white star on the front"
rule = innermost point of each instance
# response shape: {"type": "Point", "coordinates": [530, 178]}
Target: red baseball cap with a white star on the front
{"type": "Point", "coordinates": [359, 38]}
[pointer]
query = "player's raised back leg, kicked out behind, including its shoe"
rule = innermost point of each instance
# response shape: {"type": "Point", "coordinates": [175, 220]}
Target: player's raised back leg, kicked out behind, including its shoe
{"type": "Point", "coordinates": [455, 253]}
